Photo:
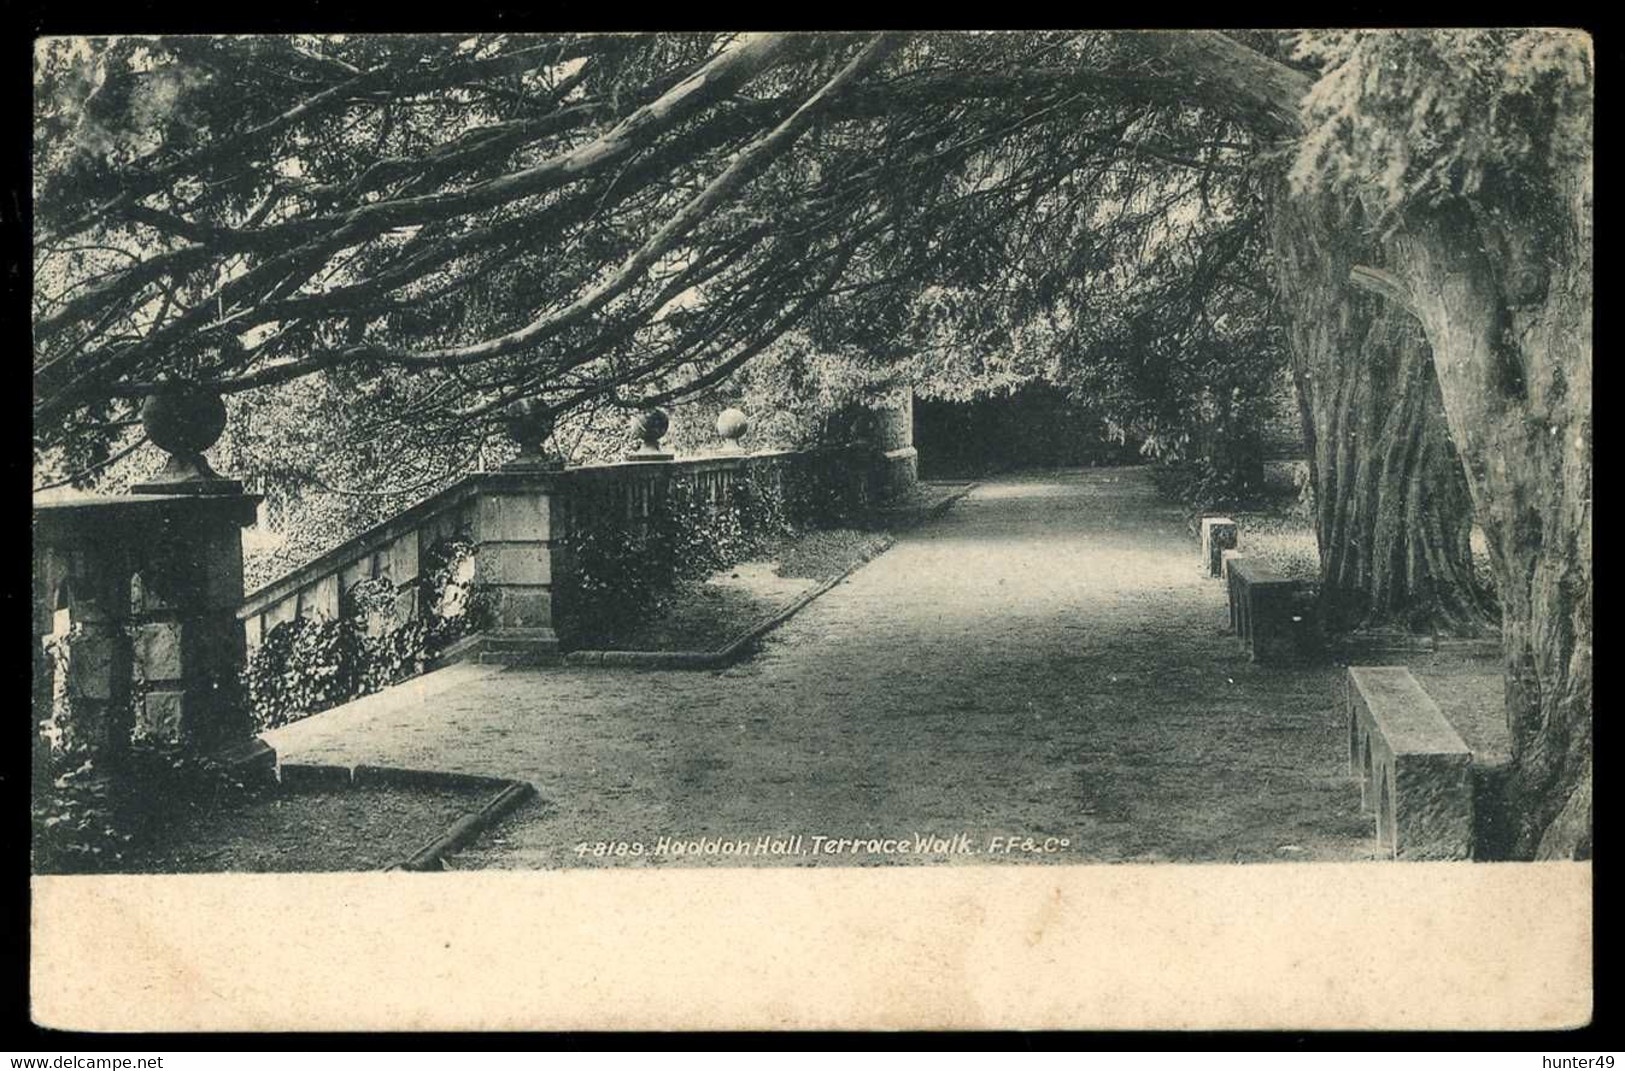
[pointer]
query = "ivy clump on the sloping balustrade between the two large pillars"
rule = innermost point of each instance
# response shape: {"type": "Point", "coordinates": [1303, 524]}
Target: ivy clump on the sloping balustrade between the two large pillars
{"type": "Point", "coordinates": [308, 666]}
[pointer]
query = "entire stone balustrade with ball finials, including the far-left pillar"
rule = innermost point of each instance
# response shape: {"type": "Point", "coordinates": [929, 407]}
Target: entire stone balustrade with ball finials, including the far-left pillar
{"type": "Point", "coordinates": [142, 628]}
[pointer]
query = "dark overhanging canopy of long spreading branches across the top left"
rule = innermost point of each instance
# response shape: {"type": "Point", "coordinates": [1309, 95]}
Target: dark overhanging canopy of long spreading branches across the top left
{"type": "Point", "coordinates": [448, 225]}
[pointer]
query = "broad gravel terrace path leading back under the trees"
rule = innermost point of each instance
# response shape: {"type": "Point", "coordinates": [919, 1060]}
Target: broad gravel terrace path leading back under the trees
{"type": "Point", "coordinates": [1042, 662]}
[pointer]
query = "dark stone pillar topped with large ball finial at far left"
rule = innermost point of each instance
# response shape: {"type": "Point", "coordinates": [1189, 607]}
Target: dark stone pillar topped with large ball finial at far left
{"type": "Point", "coordinates": [157, 581]}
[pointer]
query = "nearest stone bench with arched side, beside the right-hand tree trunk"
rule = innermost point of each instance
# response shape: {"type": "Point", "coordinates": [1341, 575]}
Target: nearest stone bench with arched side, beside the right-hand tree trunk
{"type": "Point", "coordinates": [1415, 770]}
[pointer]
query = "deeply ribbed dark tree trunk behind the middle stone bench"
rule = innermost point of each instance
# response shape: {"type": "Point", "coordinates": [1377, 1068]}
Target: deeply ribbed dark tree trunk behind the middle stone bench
{"type": "Point", "coordinates": [1392, 509]}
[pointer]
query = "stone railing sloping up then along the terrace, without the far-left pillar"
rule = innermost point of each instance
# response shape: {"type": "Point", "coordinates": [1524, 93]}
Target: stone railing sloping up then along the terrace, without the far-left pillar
{"type": "Point", "coordinates": [519, 521]}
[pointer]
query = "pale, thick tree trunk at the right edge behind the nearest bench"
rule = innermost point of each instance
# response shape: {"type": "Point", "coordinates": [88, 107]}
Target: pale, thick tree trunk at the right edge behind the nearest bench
{"type": "Point", "coordinates": [1504, 292]}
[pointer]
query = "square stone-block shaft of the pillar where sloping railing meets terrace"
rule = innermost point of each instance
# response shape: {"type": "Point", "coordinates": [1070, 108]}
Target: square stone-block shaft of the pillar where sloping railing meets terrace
{"type": "Point", "coordinates": [518, 524]}
